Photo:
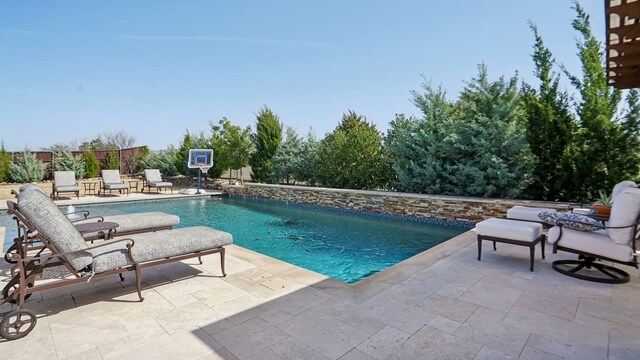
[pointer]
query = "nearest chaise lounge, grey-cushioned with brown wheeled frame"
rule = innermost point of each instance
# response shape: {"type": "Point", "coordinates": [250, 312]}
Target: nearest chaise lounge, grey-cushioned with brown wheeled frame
{"type": "Point", "coordinates": [41, 217]}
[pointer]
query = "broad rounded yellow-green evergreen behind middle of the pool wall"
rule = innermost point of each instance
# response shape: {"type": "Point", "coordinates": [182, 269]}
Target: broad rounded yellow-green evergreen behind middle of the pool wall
{"type": "Point", "coordinates": [352, 158]}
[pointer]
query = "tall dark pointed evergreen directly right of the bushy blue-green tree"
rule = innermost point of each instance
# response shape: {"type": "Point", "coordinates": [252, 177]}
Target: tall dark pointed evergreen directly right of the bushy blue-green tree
{"type": "Point", "coordinates": [550, 128]}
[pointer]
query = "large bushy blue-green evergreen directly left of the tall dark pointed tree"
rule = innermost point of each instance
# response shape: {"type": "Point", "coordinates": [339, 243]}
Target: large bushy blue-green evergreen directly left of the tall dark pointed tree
{"type": "Point", "coordinates": [491, 139]}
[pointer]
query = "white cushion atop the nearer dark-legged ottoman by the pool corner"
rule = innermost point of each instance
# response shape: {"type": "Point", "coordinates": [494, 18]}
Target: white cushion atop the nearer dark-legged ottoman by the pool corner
{"type": "Point", "coordinates": [509, 229]}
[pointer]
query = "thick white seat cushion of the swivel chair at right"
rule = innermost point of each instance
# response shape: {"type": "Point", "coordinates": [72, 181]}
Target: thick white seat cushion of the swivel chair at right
{"type": "Point", "coordinates": [594, 242]}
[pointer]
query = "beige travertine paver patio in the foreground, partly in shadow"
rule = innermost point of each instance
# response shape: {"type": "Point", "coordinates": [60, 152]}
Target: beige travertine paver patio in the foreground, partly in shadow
{"type": "Point", "coordinates": [442, 303]}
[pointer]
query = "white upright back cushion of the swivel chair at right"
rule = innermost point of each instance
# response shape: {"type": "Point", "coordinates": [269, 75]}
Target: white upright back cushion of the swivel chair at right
{"type": "Point", "coordinates": [625, 212]}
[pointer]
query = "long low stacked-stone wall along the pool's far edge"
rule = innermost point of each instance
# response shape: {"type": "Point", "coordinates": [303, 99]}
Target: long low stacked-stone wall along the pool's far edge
{"type": "Point", "coordinates": [451, 208]}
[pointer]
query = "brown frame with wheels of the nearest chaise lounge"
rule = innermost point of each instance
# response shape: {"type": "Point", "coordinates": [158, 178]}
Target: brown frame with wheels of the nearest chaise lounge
{"type": "Point", "coordinates": [23, 283]}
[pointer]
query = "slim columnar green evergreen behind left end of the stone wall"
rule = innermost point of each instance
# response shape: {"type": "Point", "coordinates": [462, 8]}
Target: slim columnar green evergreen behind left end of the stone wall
{"type": "Point", "coordinates": [266, 141]}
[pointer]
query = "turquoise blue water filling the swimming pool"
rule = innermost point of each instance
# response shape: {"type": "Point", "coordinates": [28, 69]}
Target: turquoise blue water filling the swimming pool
{"type": "Point", "coordinates": [344, 246]}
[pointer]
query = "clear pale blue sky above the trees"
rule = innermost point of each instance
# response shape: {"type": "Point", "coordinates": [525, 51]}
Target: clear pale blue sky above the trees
{"type": "Point", "coordinates": [70, 70]}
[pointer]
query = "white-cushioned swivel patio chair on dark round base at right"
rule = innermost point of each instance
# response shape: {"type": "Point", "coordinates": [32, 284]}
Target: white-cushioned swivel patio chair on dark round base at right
{"type": "Point", "coordinates": [616, 243]}
